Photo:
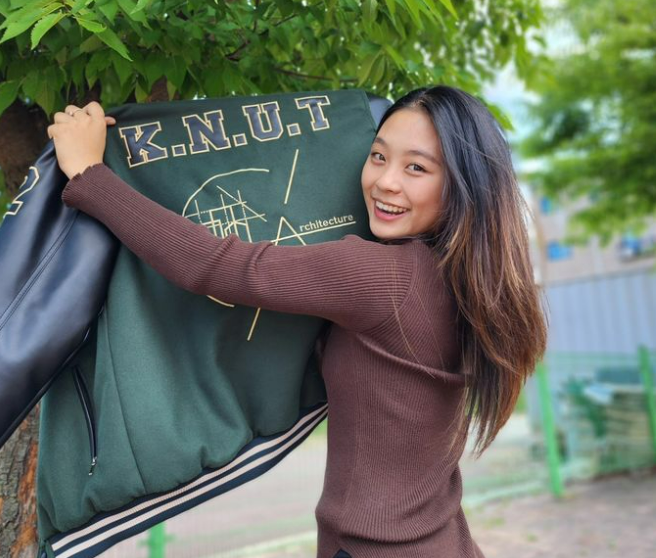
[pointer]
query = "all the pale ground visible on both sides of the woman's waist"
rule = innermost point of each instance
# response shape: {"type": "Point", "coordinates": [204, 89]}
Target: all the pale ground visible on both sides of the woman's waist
{"type": "Point", "coordinates": [273, 516]}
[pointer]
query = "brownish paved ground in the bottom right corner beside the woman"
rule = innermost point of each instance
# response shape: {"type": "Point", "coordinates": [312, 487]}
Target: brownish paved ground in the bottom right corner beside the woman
{"type": "Point", "coordinates": [608, 518]}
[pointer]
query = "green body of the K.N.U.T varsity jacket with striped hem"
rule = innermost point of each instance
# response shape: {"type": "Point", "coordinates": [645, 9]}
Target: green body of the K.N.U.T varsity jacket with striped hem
{"type": "Point", "coordinates": [176, 398]}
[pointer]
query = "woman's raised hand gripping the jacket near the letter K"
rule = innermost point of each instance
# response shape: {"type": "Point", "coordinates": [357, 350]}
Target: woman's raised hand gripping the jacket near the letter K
{"type": "Point", "coordinates": [79, 135]}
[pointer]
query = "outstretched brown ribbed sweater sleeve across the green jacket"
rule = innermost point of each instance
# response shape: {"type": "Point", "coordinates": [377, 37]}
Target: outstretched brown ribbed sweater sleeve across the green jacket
{"type": "Point", "coordinates": [353, 282]}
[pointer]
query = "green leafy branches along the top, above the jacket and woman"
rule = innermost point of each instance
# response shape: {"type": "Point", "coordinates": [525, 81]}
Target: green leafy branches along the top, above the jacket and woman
{"type": "Point", "coordinates": [55, 50]}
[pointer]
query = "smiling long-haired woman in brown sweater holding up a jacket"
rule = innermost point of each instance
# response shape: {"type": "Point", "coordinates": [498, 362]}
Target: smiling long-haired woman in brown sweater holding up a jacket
{"type": "Point", "coordinates": [434, 326]}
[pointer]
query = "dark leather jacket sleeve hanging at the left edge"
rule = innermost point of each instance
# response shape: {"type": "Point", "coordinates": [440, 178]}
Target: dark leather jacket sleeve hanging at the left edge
{"type": "Point", "coordinates": [55, 265]}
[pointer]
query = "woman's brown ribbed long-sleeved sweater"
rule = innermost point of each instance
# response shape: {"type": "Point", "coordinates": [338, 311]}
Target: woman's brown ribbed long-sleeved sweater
{"type": "Point", "coordinates": [391, 488]}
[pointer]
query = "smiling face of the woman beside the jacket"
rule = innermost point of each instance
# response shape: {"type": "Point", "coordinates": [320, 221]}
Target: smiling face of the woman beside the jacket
{"type": "Point", "coordinates": [403, 176]}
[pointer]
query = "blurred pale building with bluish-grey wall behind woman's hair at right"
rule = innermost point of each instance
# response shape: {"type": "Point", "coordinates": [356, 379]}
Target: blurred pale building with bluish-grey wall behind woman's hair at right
{"type": "Point", "coordinates": [601, 298]}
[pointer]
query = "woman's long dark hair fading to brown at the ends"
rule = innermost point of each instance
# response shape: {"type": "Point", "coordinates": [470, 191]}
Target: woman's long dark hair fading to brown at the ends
{"type": "Point", "coordinates": [482, 241]}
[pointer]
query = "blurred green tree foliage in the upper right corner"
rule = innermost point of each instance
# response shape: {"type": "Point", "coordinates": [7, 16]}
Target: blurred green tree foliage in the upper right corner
{"type": "Point", "coordinates": [596, 118]}
